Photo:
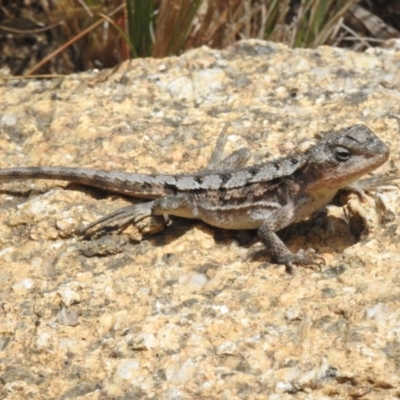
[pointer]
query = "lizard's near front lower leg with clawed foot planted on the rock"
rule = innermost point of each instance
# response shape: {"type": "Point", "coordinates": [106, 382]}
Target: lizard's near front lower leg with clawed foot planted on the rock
{"type": "Point", "coordinates": [282, 255]}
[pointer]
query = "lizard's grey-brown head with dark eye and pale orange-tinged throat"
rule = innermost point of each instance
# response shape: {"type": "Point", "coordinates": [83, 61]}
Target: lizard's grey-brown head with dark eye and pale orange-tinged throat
{"type": "Point", "coordinates": [342, 157]}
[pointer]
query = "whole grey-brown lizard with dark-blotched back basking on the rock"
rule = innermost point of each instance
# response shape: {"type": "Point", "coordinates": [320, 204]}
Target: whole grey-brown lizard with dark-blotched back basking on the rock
{"type": "Point", "coordinates": [227, 194]}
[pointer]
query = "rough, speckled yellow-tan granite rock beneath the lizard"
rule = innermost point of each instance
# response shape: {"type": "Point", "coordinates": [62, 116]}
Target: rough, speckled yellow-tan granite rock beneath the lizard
{"type": "Point", "coordinates": [191, 312]}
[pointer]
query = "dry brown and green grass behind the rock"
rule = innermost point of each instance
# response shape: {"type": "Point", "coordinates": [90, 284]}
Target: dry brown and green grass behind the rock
{"type": "Point", "coordinates": [64, 36]}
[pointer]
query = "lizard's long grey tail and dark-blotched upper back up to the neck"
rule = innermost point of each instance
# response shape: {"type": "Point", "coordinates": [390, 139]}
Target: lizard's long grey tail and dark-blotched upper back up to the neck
{"type": "Point", "coordinates": [151, 186]}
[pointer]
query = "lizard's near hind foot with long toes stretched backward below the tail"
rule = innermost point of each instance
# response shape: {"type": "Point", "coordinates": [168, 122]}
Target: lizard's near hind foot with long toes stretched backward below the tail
{"type": "Point", "coordinates": [121, 217]}
